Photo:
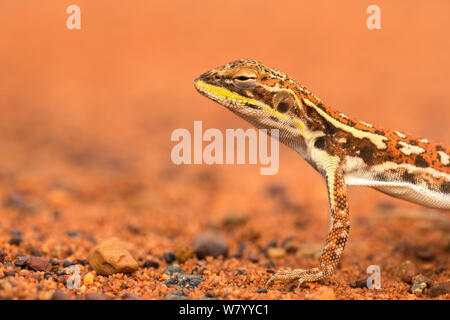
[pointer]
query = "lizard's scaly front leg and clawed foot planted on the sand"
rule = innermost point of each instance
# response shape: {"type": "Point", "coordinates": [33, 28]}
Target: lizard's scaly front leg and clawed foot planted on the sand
{"type": "Point", "coordinates": [337, 235]}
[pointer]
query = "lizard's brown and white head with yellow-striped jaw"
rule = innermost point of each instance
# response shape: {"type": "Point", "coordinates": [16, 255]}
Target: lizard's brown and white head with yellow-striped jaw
{"type": "Point", "coordinates": [263, 96]}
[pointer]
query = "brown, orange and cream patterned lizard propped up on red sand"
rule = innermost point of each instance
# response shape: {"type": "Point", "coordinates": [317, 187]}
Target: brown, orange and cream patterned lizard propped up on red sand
{"type": "Point", "coordinates": [343, 150]}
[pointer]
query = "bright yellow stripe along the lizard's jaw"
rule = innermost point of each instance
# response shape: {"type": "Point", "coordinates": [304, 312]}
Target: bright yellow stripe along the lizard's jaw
{"type": "Point", "coordinates": [237, 98]}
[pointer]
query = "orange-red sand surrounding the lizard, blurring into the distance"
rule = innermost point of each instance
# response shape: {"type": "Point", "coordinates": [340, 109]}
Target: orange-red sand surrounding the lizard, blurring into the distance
{"type": "Point", "coordinates": [87, 117]}
